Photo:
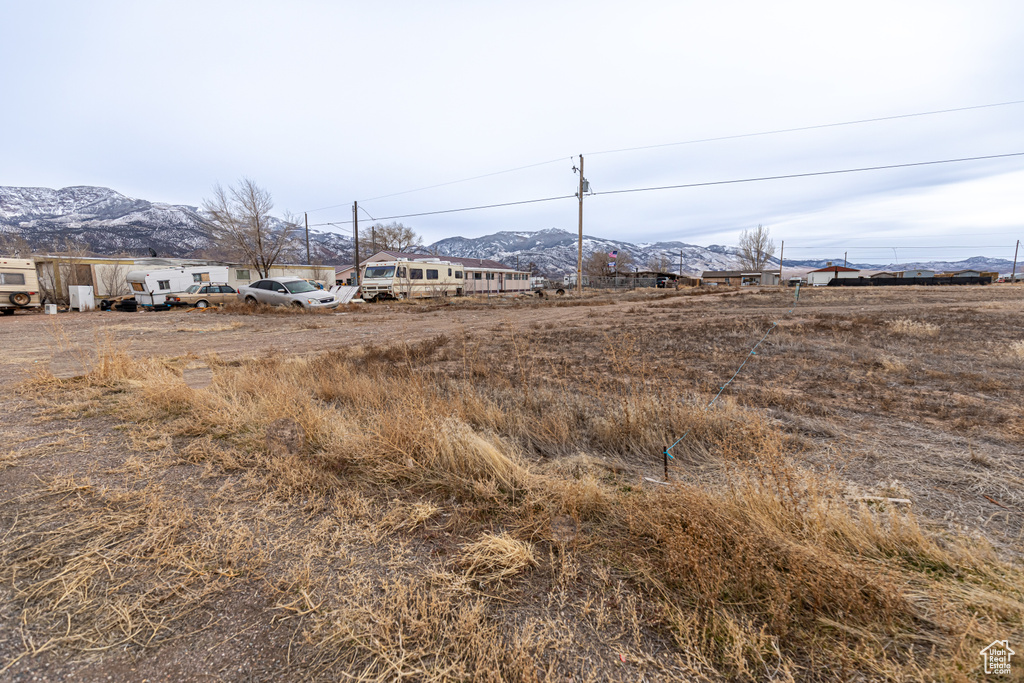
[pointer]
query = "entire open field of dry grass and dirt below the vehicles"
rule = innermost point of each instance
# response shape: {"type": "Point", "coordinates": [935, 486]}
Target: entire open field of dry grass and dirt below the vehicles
{"type": "Point", "coordinates": [472, 490]}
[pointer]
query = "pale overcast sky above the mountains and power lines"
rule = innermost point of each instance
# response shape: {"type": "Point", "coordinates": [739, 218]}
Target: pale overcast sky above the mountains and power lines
{"type": "Point", "coordinates": [326, 103]}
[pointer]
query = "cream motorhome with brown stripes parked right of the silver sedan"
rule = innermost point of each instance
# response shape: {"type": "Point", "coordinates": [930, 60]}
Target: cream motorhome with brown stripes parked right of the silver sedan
{"type": "Point", "coordinates": [412, 280]}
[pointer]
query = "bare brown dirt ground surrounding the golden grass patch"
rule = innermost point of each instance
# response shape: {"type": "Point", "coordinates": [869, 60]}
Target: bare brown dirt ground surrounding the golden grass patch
{"type": "Point", "coordinates": [909, 394]}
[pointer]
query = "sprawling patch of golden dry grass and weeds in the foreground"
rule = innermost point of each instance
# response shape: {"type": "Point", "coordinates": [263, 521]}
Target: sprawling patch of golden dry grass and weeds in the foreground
{"type": "Point", "coordinates": [378, 536]}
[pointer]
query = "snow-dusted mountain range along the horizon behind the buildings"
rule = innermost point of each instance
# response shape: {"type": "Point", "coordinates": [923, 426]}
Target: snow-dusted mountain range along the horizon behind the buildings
{"type": "Point", "coordinates": [109, 223]}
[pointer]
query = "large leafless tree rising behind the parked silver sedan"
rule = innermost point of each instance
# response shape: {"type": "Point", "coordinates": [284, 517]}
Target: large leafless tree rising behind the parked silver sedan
{"type": "Point", "coordinates": [241, 221]}
